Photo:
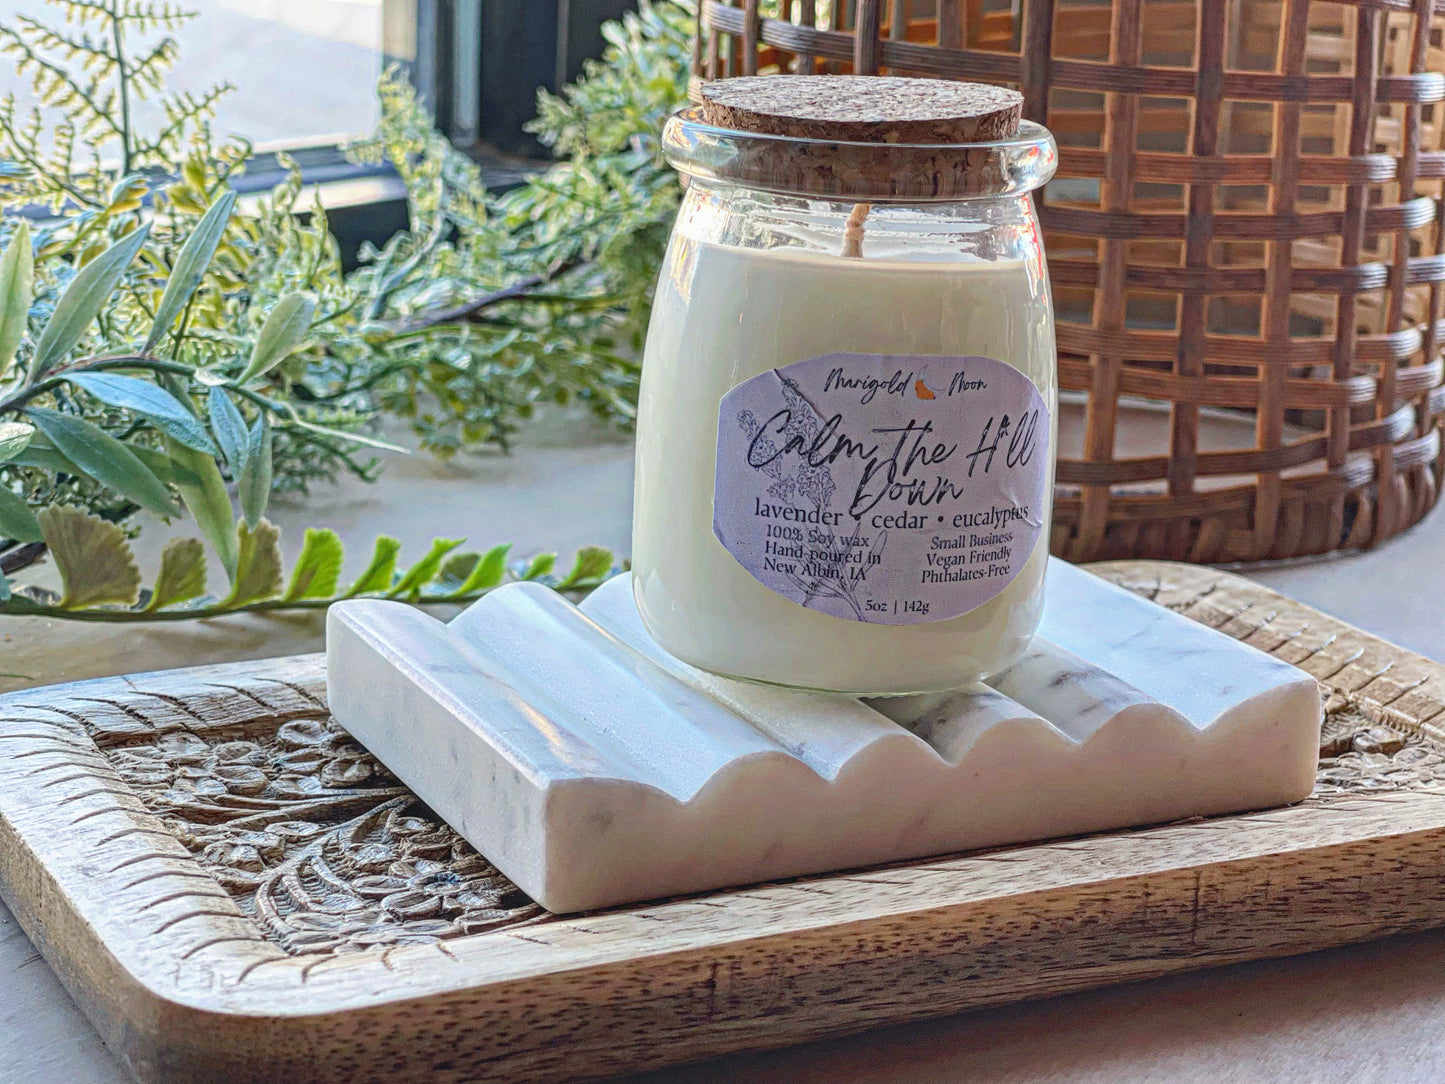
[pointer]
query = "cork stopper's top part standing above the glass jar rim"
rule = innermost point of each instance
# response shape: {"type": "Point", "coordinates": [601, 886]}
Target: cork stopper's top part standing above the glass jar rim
{"type": "Point", "coordinates": [863, 109]}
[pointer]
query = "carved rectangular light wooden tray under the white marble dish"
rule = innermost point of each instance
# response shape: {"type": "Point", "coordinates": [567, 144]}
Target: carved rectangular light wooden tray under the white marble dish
{"type": "Point", "coordinates": [236, 891]}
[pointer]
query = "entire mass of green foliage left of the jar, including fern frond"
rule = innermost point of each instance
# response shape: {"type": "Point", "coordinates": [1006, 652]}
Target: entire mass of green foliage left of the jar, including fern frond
{"type": "Point", "coordinates": [163, 346]}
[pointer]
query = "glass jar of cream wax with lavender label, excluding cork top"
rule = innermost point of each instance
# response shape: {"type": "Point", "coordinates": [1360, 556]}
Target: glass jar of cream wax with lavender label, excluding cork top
{"type": "Point", "coordinates": [847, 418]}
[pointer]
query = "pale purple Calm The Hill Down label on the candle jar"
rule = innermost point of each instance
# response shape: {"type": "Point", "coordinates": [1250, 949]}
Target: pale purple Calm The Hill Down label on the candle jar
{"type": "Point", "coordinates": [881, 488]}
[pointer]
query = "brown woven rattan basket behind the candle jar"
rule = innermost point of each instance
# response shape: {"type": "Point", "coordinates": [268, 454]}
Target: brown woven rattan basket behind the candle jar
{"type": "Point", "coordinates": [1245, 238]}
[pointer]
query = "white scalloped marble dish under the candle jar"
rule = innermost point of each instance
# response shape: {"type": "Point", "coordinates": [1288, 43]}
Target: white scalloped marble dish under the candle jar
{"type": "Point", "coordinates": [595, 770]}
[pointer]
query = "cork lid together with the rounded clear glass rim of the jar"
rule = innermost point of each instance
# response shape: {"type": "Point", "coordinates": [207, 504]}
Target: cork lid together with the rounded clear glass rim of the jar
{"type": "Point", "coordinates": [862, 138]}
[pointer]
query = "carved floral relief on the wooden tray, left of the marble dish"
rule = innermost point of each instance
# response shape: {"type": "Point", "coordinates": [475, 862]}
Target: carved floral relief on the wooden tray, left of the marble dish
{"type": "Point", "coordinates": [313, 838]}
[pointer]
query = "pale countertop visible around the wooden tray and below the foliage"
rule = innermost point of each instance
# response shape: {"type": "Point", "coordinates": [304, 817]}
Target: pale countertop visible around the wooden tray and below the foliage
{"type": "Point", "coordinates": [1371, 1012]}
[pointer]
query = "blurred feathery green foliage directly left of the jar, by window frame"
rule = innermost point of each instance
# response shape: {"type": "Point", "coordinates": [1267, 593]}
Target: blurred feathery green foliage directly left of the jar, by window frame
{"type": "Point", "coordinates": [486, 306]}
